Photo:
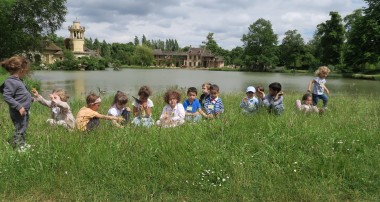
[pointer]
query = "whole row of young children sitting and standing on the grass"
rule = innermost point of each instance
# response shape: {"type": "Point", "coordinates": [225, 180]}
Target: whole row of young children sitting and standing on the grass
{"type": "Point", "coordinates": [174, 113]}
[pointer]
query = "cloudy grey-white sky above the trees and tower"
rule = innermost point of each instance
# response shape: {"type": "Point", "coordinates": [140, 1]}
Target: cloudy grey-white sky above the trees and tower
{"type": "Point", "coordinates": [190, 21]}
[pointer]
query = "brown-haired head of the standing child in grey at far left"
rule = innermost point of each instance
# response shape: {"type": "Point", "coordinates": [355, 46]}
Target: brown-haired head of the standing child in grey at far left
{"type": "Point", "coordinates": [16, 64]}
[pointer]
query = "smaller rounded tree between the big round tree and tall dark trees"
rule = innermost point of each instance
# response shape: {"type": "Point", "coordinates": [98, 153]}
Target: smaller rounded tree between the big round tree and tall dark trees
{"type": "Point", "coordinates": [292, 48]}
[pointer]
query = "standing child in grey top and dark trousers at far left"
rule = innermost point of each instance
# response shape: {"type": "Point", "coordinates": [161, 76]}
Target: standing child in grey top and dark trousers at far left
{"type": "Point", "coordinates": [18, 98]}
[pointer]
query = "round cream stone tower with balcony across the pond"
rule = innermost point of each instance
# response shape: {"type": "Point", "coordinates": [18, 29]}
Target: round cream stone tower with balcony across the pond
{"type": "Point", "coordinates": [77, 37]}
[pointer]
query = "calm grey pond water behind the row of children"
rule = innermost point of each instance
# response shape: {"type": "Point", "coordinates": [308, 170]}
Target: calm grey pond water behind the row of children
{"type": "Point", "coordinates": [80, 83]}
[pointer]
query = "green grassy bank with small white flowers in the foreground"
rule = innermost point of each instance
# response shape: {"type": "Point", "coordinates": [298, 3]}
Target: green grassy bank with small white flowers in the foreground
{"type": "Point", "coordinates": [295, 157]}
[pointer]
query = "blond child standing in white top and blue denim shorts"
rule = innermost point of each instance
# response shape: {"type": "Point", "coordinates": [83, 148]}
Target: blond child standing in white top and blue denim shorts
{"type": "Point", "coordinates": [319, 86]}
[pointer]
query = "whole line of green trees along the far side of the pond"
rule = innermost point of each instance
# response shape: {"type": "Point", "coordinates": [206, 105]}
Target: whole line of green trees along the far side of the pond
{"type": "Point", "coordinates": [349, 44]}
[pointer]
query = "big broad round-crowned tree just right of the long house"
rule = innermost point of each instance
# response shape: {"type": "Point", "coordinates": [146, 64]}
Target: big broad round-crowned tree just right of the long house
{"type": "Point", "coordinates": [260, 46]}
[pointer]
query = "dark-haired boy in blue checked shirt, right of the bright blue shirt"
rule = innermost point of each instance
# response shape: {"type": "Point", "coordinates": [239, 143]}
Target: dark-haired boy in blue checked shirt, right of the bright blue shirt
{"type": "Point", "coordinates": [213, 104]}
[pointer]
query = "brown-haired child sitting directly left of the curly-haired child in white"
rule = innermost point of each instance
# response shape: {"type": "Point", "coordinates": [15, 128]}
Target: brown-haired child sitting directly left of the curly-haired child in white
{"type": "Point", "coordinates": [142, 108]}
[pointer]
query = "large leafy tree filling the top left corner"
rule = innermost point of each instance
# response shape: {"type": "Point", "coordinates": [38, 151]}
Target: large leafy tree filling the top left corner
{"type": "Point", "coordinates": [24, 24]}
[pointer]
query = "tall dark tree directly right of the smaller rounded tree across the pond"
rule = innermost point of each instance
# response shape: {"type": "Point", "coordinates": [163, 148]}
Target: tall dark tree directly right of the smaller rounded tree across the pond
{"type": "Point", "coordinates": [332, 39]}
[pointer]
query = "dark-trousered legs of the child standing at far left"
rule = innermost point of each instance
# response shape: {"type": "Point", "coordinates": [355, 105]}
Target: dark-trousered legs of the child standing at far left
{"type": "Point", "coordinates": [21, 124]}
